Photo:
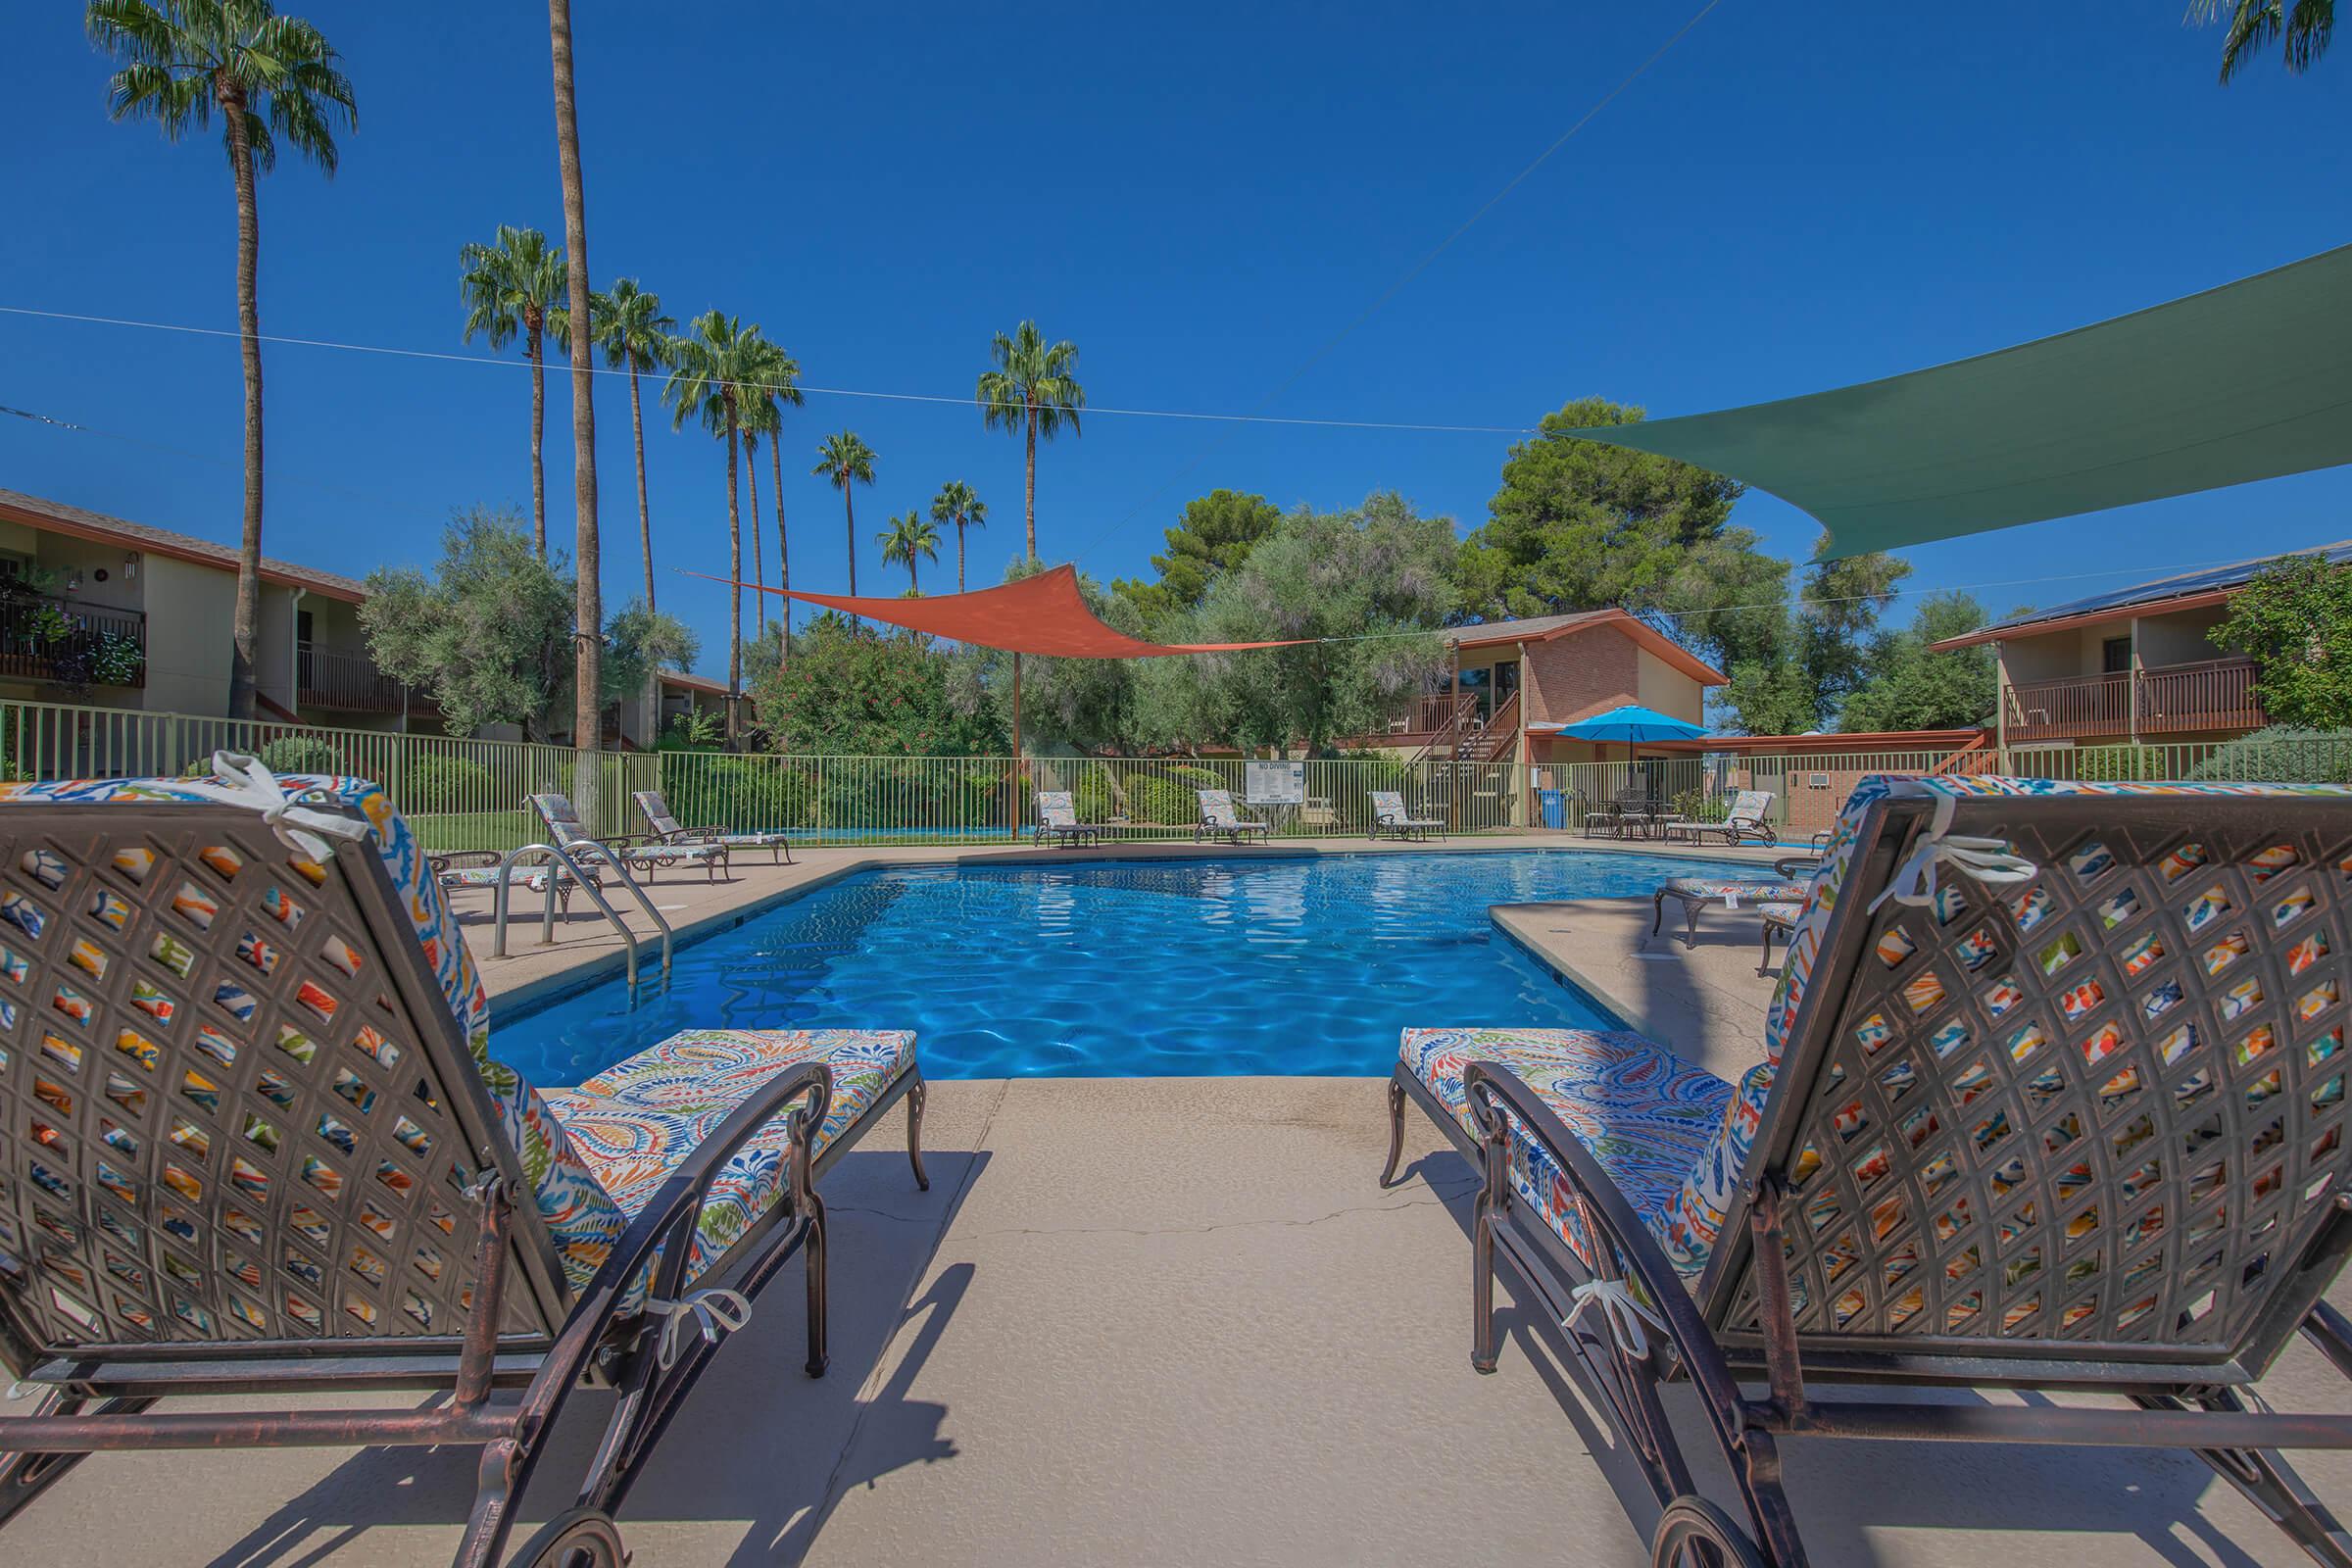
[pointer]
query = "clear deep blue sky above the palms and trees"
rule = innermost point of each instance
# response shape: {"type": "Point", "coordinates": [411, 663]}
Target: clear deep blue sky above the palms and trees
{"type": "Point", "coordinates": [1793, 199]}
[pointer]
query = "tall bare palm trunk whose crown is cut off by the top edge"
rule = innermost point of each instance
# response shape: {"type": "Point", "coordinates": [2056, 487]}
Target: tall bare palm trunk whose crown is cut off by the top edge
{"type": "Point", "coordinates": [589, 561]}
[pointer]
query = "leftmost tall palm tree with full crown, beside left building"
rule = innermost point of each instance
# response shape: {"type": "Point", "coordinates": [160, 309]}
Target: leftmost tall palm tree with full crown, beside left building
{"type": "Point", "coordinates": [274, 81]}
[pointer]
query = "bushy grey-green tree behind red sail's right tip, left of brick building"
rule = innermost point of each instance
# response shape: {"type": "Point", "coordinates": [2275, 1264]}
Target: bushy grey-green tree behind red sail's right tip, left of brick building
{"type": "Point", "coordinates": [1375, 582]}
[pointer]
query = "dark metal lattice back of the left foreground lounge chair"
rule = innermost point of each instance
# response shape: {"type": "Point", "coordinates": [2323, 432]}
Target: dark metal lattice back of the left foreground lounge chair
{"type": "Point", "coordinates": [239, 1111]}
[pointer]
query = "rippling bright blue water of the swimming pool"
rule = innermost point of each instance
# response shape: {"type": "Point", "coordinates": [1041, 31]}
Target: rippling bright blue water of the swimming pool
{"type": "Point", "coordinates": [1118, 970]}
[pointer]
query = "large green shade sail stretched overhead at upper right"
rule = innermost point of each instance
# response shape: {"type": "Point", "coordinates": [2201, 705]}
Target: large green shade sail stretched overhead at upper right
{"type": "Point", "coordinates": [2236, 384]}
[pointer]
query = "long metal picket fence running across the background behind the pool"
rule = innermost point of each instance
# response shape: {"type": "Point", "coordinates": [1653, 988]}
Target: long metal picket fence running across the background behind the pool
{"type": "Point", "coordinates": [472, 793]}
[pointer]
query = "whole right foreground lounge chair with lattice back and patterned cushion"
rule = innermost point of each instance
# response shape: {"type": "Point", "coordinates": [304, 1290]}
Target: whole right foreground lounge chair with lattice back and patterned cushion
{"type": "Point", "coordinates": [2052, 1099]}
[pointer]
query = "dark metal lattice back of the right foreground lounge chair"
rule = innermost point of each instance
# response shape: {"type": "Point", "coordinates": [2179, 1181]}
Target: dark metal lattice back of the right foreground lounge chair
{"type": "Point", "coordinates": [2094, 1115]}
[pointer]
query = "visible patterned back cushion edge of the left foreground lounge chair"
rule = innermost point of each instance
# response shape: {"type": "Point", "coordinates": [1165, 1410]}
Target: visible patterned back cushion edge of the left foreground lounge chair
{"type": "Point", "coordinates": [580, 1217]}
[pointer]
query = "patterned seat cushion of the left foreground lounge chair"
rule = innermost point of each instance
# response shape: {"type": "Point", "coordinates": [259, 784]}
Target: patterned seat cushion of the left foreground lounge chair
{"type": "Point", "coordinates": [639, 1123]}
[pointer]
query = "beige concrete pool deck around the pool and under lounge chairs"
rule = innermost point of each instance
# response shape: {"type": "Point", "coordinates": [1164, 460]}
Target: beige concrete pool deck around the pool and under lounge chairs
{"type": "Point", "coordinates": [1177, 1322]}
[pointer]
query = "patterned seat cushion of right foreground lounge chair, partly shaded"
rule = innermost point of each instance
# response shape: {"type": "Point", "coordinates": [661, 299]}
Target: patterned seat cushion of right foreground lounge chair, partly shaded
{"type": "Point", "coordinates": [1641, 1111]}
